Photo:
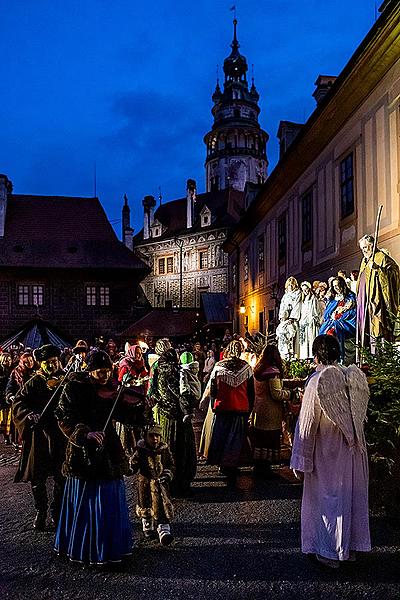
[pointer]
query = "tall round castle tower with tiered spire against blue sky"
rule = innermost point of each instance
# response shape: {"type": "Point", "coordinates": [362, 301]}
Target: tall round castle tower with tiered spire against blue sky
{"type": "Point", "coordinates": [236, 144]}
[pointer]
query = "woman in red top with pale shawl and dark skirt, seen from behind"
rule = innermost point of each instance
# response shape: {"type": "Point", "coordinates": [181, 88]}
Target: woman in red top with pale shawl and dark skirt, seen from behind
{"type": "Point", "coordinates": [230, 397]}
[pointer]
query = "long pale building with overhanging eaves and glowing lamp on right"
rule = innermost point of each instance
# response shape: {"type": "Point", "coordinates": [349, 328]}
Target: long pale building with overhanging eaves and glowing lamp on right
{"type": "Point", "coordinates": [324, 193]}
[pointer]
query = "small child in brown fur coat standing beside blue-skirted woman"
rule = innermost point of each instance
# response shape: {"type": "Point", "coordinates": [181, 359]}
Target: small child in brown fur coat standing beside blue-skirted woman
{"type": "Point", "coordinates": [153, 462]}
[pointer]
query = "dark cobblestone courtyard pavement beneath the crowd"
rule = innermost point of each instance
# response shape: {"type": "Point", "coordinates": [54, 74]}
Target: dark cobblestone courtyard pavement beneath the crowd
{"type": "Point", "coordinates": [229, 544]}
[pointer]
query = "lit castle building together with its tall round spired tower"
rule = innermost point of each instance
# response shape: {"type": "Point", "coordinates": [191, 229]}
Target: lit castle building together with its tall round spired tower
{"type": "Point", "coordinates": [182, 240]}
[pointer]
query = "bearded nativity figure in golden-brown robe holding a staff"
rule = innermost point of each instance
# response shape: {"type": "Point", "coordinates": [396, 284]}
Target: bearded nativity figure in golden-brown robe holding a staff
{"type": "Point", "coordinates": [378, 295]}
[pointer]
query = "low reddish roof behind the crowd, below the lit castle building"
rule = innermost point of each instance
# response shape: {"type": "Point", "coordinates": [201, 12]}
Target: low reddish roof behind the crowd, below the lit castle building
{"type": "Point", "coordinates": [164, 322]}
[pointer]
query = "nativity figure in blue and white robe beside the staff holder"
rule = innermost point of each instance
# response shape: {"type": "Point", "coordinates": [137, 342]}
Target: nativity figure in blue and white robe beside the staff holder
{"type": "Point", "coordinates": [340, 315]}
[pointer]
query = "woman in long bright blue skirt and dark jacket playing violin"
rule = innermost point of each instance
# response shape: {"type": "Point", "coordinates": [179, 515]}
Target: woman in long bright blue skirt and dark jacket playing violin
{"type": "Point", "coordinates": [94, 525]}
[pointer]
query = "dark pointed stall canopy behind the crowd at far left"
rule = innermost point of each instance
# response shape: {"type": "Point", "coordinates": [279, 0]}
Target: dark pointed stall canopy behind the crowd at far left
{"type": "Point", "coordinates": [34, 334]}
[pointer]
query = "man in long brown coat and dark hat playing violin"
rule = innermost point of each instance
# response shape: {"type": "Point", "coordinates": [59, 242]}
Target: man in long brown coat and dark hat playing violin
{"type": "Point", "coordinates": [43, 444]}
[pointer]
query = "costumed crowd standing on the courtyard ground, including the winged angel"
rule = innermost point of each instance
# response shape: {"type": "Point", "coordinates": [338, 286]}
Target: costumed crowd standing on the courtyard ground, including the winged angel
{"type": "Point", "coordinates": [91, 417]}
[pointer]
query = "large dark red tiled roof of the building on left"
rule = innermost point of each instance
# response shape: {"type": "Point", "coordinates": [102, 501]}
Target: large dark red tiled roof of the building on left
{"type": "Point", "coordinates": [61, 232]}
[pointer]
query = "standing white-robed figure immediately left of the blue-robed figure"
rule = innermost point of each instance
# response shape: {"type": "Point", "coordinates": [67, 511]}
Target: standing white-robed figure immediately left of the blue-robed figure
{"type": "Point", "coordinates": [309, 322]}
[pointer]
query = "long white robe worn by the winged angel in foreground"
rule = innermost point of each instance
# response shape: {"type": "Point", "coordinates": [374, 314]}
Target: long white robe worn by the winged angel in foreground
{"type": "Point", "coordinates": [334, 512]}
